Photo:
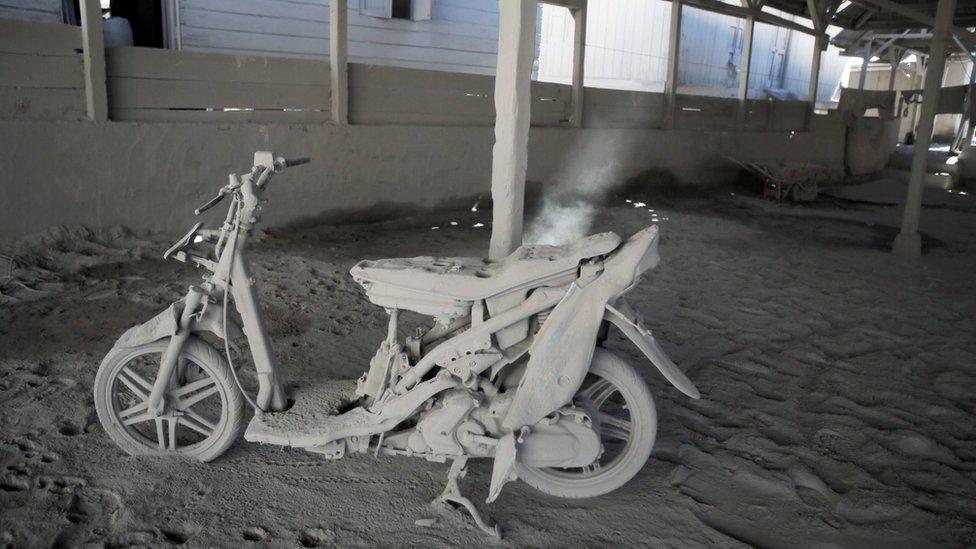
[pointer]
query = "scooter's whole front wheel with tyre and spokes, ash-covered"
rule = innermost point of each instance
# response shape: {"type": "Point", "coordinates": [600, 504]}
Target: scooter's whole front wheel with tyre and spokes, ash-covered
{"type": "Point", "coordinates": [203, 408]}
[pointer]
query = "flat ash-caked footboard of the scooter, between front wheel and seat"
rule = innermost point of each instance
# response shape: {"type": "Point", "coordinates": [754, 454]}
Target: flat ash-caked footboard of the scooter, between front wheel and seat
{"type": "Point", "coordinates": [314, 419]}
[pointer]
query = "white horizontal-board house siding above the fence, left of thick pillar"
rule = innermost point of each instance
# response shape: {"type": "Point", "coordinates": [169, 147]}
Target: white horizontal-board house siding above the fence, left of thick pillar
{"type": "Point", "coordinates": [461, 35]}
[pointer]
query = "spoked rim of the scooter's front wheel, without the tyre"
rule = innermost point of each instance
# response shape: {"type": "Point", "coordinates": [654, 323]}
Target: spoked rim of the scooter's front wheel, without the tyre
{"type": "Point", "coordinates": [195, 405]}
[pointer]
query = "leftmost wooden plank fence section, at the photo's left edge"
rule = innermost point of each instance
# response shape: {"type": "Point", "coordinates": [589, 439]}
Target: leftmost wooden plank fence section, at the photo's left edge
{"type": "Point", "coordinates": [41, 71]}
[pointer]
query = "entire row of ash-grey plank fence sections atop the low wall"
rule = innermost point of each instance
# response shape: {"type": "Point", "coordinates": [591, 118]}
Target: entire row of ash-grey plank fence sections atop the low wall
{"type": "Point", "coordinates": [41, 76]}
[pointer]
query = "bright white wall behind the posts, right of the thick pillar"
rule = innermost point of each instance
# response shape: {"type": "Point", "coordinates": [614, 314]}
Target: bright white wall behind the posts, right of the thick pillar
{"type": "Point", "coordinates": [627, 48]}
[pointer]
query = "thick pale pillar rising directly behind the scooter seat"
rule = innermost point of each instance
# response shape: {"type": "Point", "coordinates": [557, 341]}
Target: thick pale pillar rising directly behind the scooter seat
{"type": "Point", "coordinates": [513, 100]}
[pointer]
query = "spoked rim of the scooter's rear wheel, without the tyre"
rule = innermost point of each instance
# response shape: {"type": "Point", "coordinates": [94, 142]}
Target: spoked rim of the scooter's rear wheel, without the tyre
{"type": "Point", "coordinates": [609, 409]}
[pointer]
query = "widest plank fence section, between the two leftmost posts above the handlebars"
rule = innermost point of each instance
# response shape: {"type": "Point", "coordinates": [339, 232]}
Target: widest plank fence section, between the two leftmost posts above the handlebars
{"type": "Point", "coordinates": [155, 84]}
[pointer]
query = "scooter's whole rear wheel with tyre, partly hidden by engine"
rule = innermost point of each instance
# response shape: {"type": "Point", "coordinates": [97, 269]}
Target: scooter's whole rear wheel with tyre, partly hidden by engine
{"type": "Point", "coordinates": [622, 409]}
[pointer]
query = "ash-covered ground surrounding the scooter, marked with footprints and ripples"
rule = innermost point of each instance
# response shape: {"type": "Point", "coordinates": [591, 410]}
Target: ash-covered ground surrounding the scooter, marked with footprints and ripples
{"type": "Point", "coordinates": [837, 382]}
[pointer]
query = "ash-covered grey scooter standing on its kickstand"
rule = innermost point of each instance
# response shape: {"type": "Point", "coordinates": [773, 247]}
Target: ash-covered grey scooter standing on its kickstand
{"type": "Point", "coordinates": [512, 367]}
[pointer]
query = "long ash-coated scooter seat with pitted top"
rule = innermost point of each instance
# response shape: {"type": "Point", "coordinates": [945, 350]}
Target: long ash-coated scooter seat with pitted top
{"type": "Point", "coordinates": [468, 279]}
